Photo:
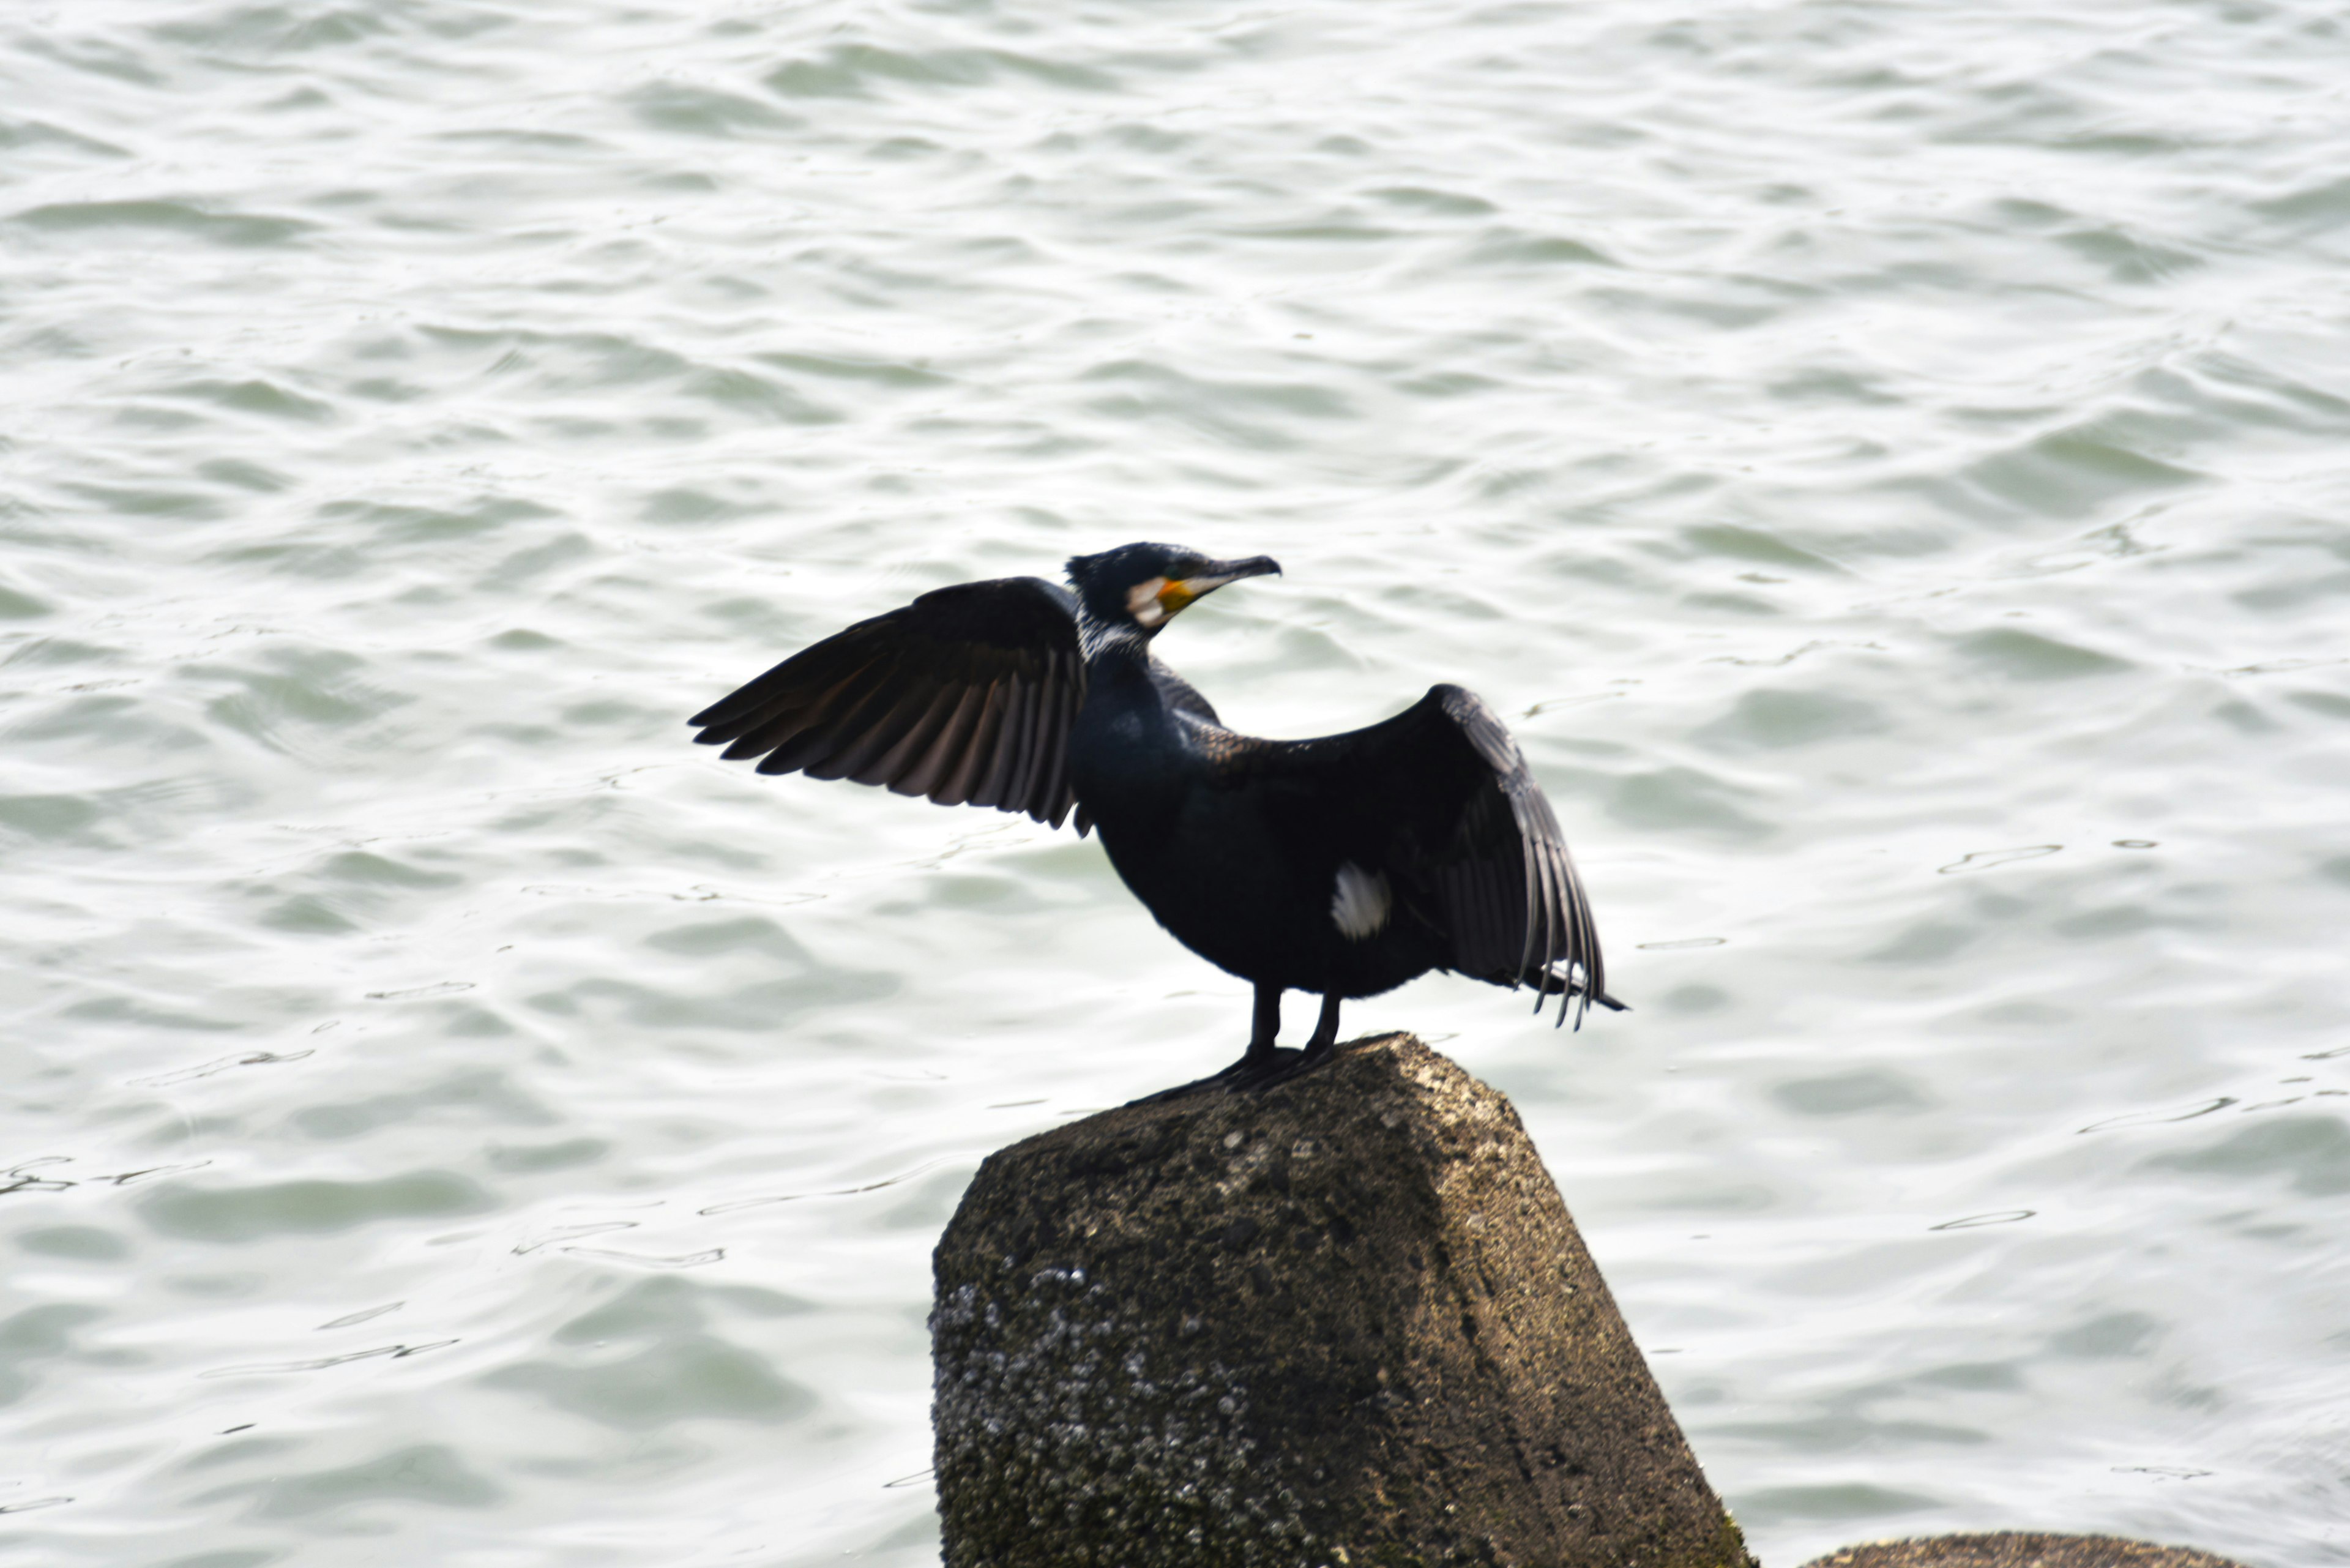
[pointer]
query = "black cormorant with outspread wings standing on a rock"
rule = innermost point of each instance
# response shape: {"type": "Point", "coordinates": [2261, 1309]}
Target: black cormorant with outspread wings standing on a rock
{"type": "Point", "coordinates": [1341, 866]}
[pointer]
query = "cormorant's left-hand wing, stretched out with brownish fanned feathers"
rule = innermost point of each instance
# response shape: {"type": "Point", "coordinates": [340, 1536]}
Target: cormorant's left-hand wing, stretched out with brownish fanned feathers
{"type": "Point", "coordinates": [967, 695]}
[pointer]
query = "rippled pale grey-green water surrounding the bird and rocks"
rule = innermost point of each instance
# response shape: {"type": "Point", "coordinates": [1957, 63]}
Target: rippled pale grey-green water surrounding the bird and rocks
{"type": "Point", "coordinates": [1886, 460]}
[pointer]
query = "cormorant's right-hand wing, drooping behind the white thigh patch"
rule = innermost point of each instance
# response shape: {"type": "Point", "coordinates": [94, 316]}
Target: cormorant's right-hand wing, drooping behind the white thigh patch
{"type": "Point", "coordinates": [1442, 803]}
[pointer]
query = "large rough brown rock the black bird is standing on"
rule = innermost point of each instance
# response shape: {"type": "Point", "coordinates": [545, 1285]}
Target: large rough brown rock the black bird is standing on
{"type": "Point", "coordinates": [1338, 1322]}
